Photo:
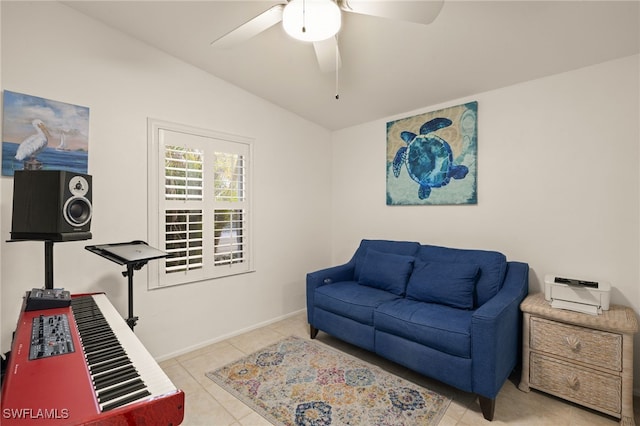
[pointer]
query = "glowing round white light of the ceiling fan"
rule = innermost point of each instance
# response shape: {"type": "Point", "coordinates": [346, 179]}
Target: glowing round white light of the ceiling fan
{"type": "Point", "coordinates": [311, 20]}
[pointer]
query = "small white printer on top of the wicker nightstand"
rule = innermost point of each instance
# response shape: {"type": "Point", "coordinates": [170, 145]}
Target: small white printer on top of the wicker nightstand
{"type": "Point", "coordinates": [589, 297]}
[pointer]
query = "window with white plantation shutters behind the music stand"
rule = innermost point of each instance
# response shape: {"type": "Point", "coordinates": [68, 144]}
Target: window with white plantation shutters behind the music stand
{"type": "Point", "coordinates": [199, 203]}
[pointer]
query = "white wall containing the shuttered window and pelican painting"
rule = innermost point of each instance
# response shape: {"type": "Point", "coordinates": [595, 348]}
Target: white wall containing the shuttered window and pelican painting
{"type": "Point", "coordinates": [51, 51]}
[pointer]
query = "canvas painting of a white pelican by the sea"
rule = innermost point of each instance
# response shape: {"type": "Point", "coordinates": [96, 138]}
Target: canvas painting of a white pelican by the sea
{"type": "Point", "coordinates": [42, 134]}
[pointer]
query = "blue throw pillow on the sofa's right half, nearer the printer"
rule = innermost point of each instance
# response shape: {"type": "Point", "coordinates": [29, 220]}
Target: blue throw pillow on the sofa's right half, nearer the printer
{"type": "Point", "coordinates": [445, 283]}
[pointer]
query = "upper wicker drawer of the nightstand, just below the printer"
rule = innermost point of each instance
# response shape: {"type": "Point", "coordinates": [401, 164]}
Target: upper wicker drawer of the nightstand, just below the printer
{"type": "Point", "coordinates": [594, 347]}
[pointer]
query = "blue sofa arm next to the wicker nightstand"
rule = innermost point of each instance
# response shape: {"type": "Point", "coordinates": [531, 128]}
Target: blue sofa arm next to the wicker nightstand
{"type": "Point", "coordinates": [496, 329]}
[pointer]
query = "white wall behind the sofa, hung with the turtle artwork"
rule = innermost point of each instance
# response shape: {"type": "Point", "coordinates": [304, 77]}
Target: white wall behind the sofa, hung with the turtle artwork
{"type": "Point", "coordinates": [558, 181]}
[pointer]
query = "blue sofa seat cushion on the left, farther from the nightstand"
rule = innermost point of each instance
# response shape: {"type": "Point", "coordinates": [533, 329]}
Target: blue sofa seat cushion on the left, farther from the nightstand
{"type": "Point", "coordinates": [351, 300]}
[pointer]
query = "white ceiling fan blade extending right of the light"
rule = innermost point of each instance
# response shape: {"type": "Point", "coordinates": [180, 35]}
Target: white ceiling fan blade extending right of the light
{"type": "Point", "coordinates": [420, 11]}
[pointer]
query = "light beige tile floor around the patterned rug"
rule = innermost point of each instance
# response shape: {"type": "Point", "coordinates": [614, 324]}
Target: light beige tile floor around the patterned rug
{"type": "Point", "coordinates": [209, 405]}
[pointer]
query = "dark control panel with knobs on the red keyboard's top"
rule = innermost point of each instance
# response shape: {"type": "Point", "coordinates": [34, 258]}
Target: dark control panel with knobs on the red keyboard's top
{"type": "Point", "coordinates": [50, 336]}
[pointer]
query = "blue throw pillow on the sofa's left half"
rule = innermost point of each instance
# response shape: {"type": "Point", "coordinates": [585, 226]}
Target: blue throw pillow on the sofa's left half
{"type": "Point", "coordinates": [386, 271]}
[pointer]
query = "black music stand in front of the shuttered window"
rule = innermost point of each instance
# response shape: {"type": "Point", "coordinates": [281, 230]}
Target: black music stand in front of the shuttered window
{"type": "Point", "coordinates": [134, 255]}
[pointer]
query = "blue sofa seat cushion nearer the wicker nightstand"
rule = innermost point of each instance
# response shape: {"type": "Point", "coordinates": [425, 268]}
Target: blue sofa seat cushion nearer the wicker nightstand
{"type": "Point", "coordinates": [437, 326]}
